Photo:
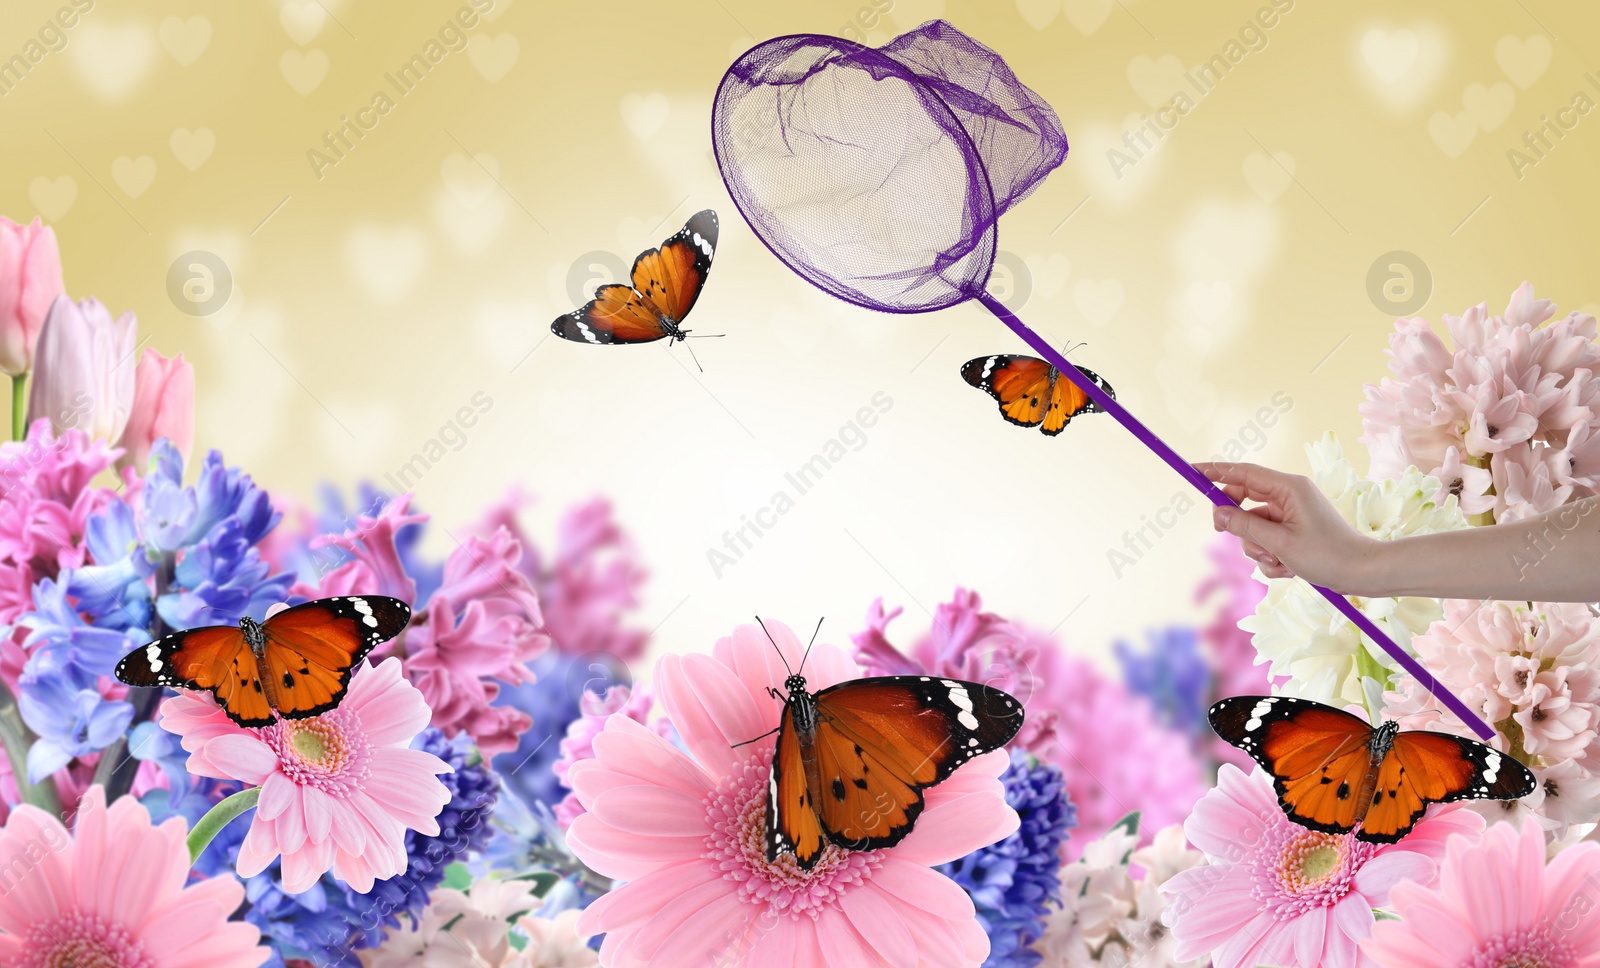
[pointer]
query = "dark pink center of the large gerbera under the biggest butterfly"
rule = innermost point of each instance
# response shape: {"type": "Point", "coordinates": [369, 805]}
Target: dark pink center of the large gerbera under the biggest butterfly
{"type": "Point", "coordinates": [737, 815]}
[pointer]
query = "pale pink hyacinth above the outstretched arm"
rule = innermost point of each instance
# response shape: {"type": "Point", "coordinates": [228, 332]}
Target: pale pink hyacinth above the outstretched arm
{"type": "Point", "coordinates": [1506, 418]}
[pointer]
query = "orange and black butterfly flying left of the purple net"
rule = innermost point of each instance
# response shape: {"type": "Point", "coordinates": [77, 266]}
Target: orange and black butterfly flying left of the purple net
{"type": "Point", "coordinates": [666, 284]}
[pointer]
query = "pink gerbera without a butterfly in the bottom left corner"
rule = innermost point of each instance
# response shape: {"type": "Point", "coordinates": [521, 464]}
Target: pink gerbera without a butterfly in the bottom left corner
{"type": "Point", "coordinates": [111, 895]}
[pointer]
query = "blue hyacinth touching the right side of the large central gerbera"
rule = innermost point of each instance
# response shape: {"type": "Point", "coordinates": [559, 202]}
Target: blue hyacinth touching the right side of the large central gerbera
{"type": "Point", "coordinates": [1014, 884]}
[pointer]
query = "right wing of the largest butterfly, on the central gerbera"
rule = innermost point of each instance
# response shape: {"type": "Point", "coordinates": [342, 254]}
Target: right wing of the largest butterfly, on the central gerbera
{"type": "Point", "coordinates": [881, 742]}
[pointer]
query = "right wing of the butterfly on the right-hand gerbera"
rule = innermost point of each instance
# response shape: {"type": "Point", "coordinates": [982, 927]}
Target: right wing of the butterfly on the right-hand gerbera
{"type": "Point", "coordinates": [1426, 769]}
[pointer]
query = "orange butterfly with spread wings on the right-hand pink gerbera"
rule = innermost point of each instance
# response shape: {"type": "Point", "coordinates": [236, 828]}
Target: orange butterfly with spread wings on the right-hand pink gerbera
{"type": "Point", "coordinates": [1335, 774]}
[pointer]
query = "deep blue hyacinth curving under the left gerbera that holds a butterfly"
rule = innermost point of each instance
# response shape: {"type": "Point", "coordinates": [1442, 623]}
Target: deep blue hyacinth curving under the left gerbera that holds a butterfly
{"type": "Point", "coordinates": [330, 922]}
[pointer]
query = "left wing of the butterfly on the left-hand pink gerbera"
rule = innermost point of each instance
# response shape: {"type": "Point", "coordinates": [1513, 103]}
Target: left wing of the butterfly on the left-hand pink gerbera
{"type": "Point", "coordinates": [214, 658]}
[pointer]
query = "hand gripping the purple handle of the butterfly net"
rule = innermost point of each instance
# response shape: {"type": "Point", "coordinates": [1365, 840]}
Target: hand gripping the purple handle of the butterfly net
{"type": "Point", "coordinates": [1295, 530]}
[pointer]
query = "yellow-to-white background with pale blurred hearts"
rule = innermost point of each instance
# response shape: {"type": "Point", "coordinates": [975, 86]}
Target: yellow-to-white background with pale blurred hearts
{"type": "Point", "coordinates": [370, 305]}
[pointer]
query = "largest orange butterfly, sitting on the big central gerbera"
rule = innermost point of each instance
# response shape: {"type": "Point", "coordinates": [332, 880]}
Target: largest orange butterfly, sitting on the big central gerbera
{"type": "Point", "coordinates": [852, 761]}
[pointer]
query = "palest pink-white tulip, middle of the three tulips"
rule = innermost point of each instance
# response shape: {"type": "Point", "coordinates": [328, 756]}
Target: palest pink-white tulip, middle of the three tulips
{"type": "Point", "coordinates": [84, 369]}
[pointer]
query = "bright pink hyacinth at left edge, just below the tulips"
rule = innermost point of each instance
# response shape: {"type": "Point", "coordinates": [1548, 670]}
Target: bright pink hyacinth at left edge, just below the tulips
{"type": "Point", "coordinates": [46, 505]}
